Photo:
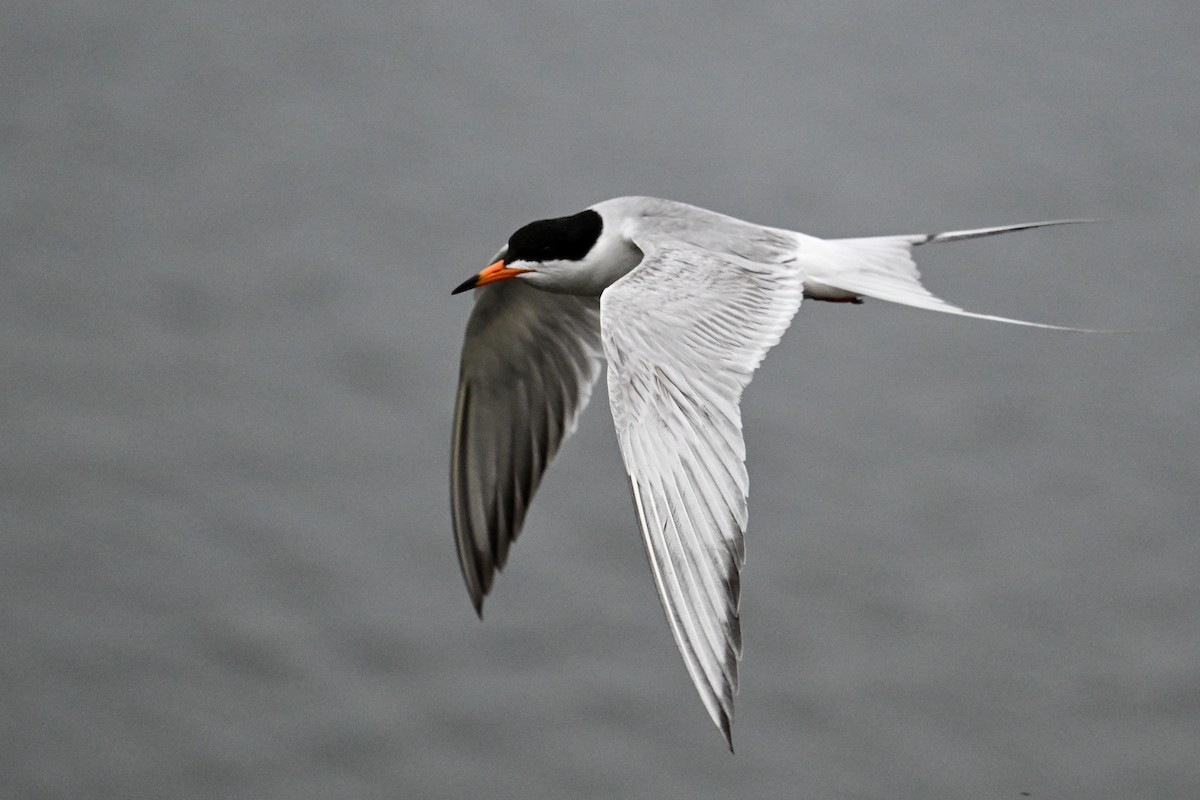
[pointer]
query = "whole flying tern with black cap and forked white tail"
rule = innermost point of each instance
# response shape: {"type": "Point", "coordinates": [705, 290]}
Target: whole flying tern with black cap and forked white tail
{"type": "Point", "coordinates": [683, 304]}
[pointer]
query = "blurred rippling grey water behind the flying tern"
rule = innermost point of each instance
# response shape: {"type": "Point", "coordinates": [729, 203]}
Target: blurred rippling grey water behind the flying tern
{"type": "Point", "coordinates": [229, 233]}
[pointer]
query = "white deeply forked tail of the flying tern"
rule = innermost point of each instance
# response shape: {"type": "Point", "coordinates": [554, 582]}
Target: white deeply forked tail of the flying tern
{"type": "Point", "coordinates": [883, 268]}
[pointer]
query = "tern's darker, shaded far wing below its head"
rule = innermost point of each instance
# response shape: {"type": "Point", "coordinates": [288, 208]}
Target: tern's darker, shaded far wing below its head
{"type": "Point", "coordinates": [530, 360]}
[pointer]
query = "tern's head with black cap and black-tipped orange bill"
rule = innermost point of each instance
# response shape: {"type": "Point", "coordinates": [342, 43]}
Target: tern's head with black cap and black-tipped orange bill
{"type": "Point", "coordinates": [577, 255]}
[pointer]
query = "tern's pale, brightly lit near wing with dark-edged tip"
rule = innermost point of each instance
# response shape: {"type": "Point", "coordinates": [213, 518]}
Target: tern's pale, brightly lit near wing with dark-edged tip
{"type": "Point", "coordinates": [683, 334]}
